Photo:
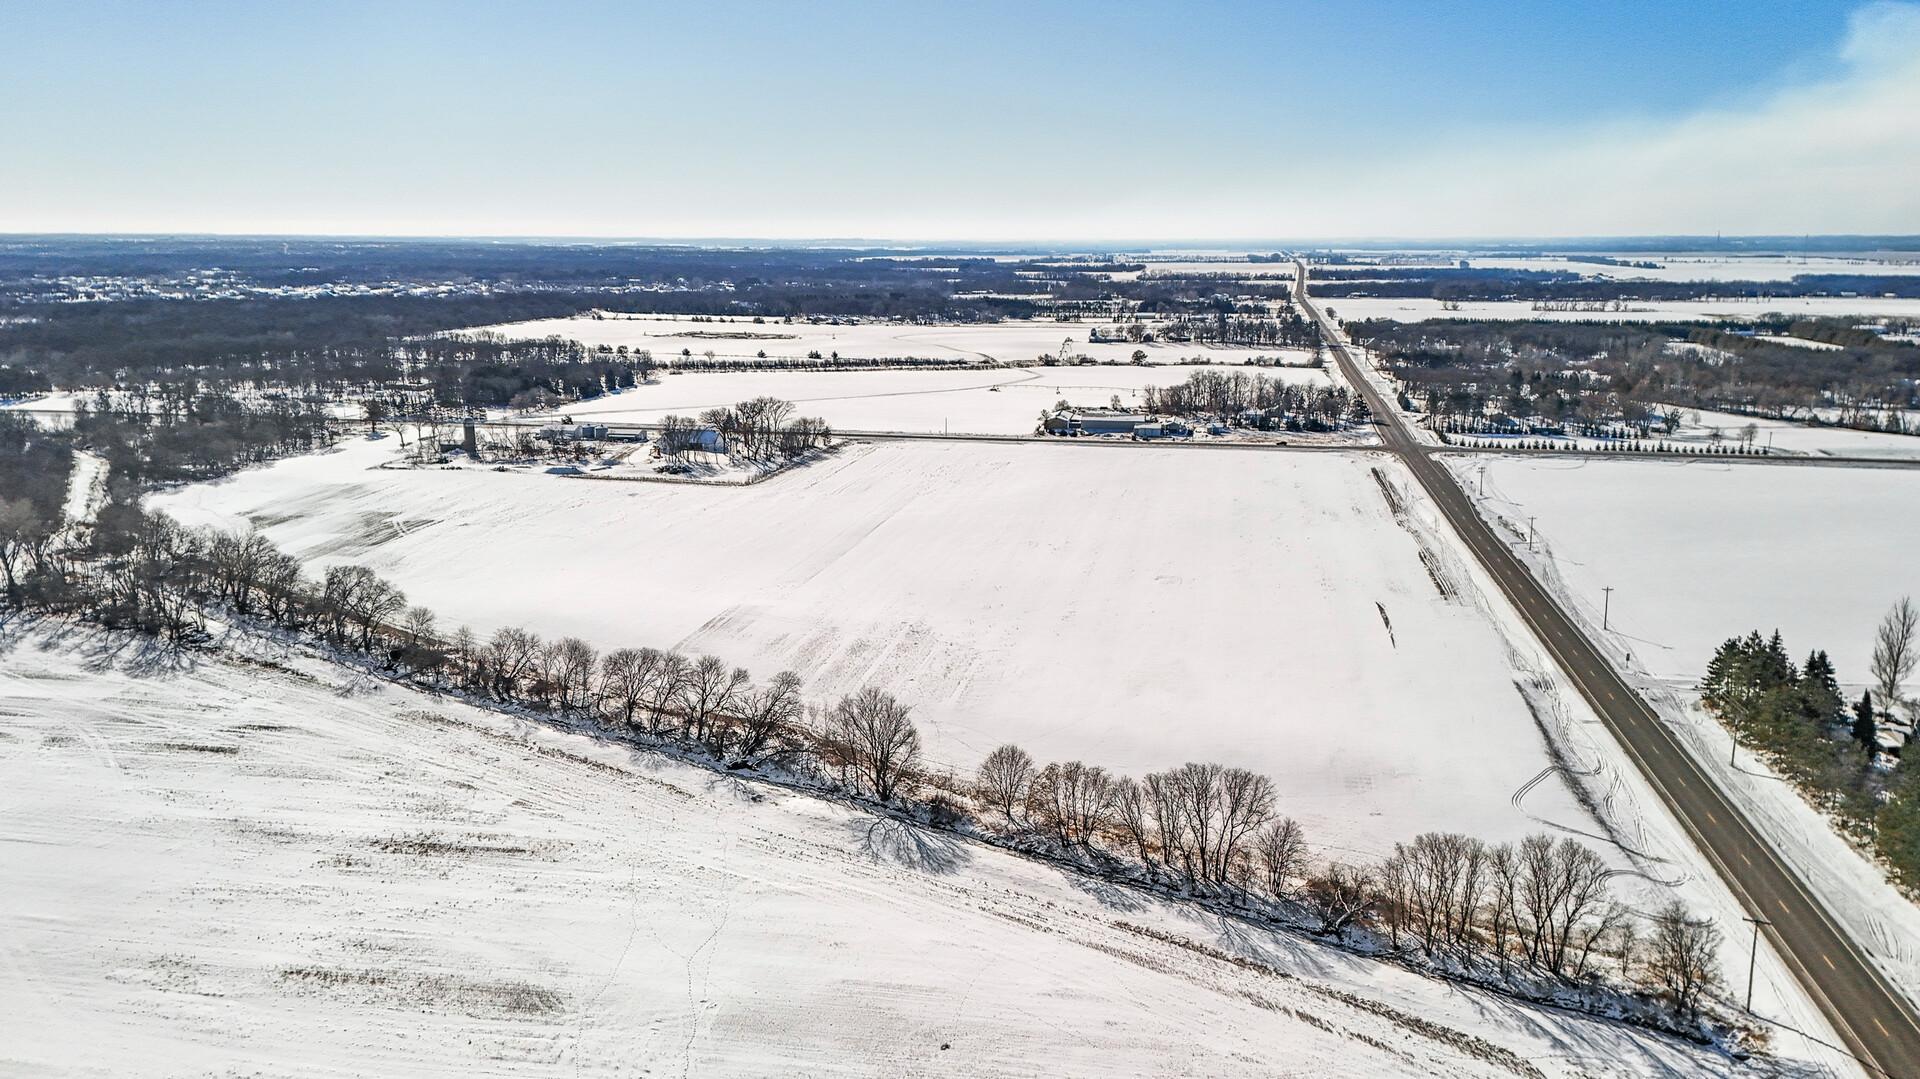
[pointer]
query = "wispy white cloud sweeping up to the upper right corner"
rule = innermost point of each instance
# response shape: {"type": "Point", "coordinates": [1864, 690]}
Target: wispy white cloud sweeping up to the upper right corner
{"type": "Point", "coordinates": [1838, 155]}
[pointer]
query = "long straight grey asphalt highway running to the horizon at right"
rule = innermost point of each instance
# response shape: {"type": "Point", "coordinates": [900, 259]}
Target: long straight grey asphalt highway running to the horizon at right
{"type": "Point", "coordinates": [1877, 1022]}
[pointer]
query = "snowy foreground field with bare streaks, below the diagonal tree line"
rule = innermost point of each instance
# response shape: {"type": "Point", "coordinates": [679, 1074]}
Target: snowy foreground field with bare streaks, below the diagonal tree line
{"type": "Point", "coordinates": [277, 867]}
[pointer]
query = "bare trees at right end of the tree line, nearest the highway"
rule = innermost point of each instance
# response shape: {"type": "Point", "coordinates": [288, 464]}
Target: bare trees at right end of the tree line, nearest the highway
{"type": "Point", "coordinates": [1543, 903]}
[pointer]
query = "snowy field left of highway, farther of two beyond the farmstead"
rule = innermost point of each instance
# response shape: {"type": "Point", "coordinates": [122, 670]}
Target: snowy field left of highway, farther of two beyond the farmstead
{"type": "Point", "coordinates": [1015, 343]}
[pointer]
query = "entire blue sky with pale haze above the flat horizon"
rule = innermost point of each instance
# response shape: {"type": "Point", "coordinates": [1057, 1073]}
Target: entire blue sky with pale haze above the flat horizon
{"type": "Point", "coordinates": [969, 122]}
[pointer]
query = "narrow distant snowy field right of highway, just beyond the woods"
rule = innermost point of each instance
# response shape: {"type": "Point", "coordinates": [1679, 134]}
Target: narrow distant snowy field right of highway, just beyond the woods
{"type": "Point", "coordinates": [1420, 310]}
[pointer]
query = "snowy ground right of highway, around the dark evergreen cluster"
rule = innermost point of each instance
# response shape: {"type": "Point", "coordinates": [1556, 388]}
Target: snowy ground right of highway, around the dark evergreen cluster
{"type": "Point", "coordinates": [1700, 552]}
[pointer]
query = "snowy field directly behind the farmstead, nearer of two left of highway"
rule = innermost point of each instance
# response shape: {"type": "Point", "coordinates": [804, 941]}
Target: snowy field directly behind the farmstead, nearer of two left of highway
{"type": "Point", "coordinates": [923, 402]}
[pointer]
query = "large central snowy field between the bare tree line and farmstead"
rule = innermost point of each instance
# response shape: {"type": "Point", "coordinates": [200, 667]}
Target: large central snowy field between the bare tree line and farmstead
{"type": "Point", "coordinates": [1222, 606]}
